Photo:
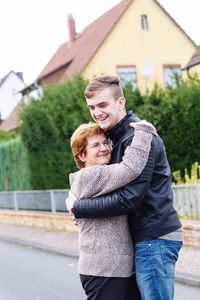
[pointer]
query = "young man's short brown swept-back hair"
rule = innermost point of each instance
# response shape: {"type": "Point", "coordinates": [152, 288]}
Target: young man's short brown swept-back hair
{"type": "Point", "coordinates": [102, 82]}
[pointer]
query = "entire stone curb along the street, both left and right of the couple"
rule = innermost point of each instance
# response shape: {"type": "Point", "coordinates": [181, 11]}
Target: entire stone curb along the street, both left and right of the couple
{"type": "Point", "coordinates": [183, 278]}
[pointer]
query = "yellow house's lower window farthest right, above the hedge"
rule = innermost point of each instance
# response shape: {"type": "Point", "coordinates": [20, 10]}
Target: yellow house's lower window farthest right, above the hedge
{"type": "Point", "coordinates": [171, 75]}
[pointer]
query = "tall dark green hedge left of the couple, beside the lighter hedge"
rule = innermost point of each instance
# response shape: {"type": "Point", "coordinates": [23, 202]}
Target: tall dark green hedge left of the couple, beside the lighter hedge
{"type": "Point", "coordinates": [46, 130]}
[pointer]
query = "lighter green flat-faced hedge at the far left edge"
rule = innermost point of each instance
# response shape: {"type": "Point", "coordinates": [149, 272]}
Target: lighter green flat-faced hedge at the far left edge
{"type": "Point", "coordinates": [14, 171]}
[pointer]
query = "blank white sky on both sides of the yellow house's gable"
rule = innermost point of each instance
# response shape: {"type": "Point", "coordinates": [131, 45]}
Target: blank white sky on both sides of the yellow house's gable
{"type": "Point", "coordinates": [32, 30]}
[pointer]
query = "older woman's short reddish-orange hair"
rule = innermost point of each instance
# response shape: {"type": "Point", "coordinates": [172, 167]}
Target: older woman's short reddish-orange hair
{"type": "Point", "coordinates": [79, 139]}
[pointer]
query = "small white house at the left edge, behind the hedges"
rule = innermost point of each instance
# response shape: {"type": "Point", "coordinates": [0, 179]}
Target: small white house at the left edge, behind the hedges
{"type": "Point", "coordinates": [10, 85]}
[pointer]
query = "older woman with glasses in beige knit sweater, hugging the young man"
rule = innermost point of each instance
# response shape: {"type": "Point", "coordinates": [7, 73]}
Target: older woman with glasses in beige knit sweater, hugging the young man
{"type": "Point", "coordinates": [106, 251]}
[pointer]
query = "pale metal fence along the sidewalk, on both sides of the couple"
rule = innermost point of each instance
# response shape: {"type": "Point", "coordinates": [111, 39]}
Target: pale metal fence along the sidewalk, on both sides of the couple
{"type": "Point", "coordinates": [186, 200]}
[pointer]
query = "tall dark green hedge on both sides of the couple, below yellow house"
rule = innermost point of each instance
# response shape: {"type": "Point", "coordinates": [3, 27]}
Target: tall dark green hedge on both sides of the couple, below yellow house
{"type": "Point", "coordinates": [48, 125]}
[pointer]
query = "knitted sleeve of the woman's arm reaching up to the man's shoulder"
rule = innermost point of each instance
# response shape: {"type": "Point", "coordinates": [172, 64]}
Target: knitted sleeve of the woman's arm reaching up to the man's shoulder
{"type": "Point", "coordinates": [98, 180]}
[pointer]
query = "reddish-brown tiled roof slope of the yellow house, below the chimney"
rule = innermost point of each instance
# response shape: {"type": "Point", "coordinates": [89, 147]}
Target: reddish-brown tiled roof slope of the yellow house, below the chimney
{"type": "Point", "coordinates": [73, 59]}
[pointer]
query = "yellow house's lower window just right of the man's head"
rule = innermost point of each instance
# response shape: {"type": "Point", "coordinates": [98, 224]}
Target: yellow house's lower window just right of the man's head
{"type": "Point", "coordinates": [127, 75]}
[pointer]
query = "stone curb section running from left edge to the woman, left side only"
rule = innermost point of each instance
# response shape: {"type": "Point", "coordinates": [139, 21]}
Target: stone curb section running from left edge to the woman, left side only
{"type": "Point", "coordinates": [38, 246]}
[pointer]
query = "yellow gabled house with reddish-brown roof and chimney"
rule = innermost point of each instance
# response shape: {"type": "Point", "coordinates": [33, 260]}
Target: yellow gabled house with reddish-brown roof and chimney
{"type": "Point", "coordinates": [136, 39]}
